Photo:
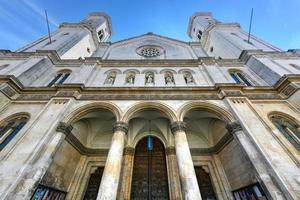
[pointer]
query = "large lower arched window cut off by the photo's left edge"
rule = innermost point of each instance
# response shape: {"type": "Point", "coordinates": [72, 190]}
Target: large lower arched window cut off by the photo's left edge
{"type": "Point", "coordinates": [10, 128]}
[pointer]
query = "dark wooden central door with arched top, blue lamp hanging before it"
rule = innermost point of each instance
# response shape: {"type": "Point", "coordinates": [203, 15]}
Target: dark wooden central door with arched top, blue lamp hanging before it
{"type": "Point", "coordinates": [150, 179]}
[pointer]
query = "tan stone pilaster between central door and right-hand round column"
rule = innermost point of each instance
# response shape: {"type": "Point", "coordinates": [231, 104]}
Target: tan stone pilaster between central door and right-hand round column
{"type": "Point", "coordinates": [174, 179]}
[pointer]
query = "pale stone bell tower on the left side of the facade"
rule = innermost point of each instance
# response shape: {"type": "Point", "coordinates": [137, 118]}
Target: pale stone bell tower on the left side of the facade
{"type": "Point", "coordinates": [75, 40]}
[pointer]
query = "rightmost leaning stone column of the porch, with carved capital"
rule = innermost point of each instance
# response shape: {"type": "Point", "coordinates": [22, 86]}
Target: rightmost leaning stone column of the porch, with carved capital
{"type": "Point", "coordinates": [266, 180]}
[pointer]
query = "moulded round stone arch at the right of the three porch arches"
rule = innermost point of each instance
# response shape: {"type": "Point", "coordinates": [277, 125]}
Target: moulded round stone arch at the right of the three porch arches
{"type": "Point", "coordinates": [221, 112]}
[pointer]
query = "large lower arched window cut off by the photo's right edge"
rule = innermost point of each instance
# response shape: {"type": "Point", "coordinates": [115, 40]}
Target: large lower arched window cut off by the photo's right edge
{"type": "Point", "coordinates": [288, 128]}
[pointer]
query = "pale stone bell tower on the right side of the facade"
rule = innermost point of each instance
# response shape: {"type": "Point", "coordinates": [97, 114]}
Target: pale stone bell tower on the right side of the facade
{"type": "Point", "coordinates": [223, 40]}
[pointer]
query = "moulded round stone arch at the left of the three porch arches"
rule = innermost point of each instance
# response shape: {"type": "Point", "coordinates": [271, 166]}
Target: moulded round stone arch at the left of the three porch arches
{"type": "Point", "coordinates": [82, 110]}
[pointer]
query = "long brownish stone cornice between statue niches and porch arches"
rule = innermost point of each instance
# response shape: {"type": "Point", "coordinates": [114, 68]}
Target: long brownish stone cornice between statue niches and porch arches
{"type": "Point", "coordinates": [282, 90]}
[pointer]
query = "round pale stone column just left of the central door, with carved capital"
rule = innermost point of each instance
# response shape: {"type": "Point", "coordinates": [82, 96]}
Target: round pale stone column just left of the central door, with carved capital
{"type": "Point", "coordinates": [111, 175]}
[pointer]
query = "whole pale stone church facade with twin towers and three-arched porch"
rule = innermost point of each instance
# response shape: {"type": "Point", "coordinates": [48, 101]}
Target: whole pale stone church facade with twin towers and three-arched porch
{"type": "Point", "coordinates": [149, 117]}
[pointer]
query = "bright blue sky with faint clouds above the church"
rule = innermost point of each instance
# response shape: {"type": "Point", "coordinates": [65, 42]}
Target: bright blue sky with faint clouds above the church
{"type": "Point", "coordinates": [276, 21]}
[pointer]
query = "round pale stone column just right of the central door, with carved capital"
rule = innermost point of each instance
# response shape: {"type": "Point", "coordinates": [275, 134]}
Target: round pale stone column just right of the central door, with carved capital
{"type": "Point", "coordinates": [190, 188]}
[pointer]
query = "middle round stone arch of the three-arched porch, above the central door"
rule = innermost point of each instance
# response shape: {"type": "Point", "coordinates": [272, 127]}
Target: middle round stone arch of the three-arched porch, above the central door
{"type": "Point", "coordinates": [149, 105]}
